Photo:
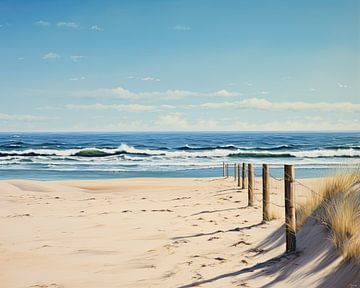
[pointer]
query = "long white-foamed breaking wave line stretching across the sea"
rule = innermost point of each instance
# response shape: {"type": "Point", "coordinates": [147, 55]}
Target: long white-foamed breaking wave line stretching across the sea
{"type": "Point", "coordinates": [184, 152]}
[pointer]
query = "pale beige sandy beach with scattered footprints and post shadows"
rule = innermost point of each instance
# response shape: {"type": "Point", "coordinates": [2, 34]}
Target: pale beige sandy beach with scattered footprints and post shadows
{"type": "Point", "coordinates": [158, 233]}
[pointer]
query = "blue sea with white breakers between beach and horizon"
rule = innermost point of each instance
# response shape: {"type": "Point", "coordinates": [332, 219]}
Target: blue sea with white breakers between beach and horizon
{"type": "Point", "coordinates": [58, 156]}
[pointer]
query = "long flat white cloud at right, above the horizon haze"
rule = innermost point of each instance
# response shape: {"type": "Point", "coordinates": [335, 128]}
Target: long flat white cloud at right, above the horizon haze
{"type": "Point", "coordinates": [264, 104]}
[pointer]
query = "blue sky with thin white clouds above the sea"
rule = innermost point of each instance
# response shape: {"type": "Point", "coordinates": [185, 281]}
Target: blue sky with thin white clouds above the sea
{"type": "Point", "coordinates": [156, 65]}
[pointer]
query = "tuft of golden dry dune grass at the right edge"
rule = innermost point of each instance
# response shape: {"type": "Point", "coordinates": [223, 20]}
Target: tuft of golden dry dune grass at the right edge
{"type": "Point", "coordinates": [336, 204]}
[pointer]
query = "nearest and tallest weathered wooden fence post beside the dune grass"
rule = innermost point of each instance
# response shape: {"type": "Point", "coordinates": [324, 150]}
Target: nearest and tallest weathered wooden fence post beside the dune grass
{"type": "Point", "coordinates": [290, 222]}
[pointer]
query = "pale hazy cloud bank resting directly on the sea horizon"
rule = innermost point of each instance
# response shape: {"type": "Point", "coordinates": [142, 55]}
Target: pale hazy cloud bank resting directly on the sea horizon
{"type": "Point", "coordinates": [180, 122]}
